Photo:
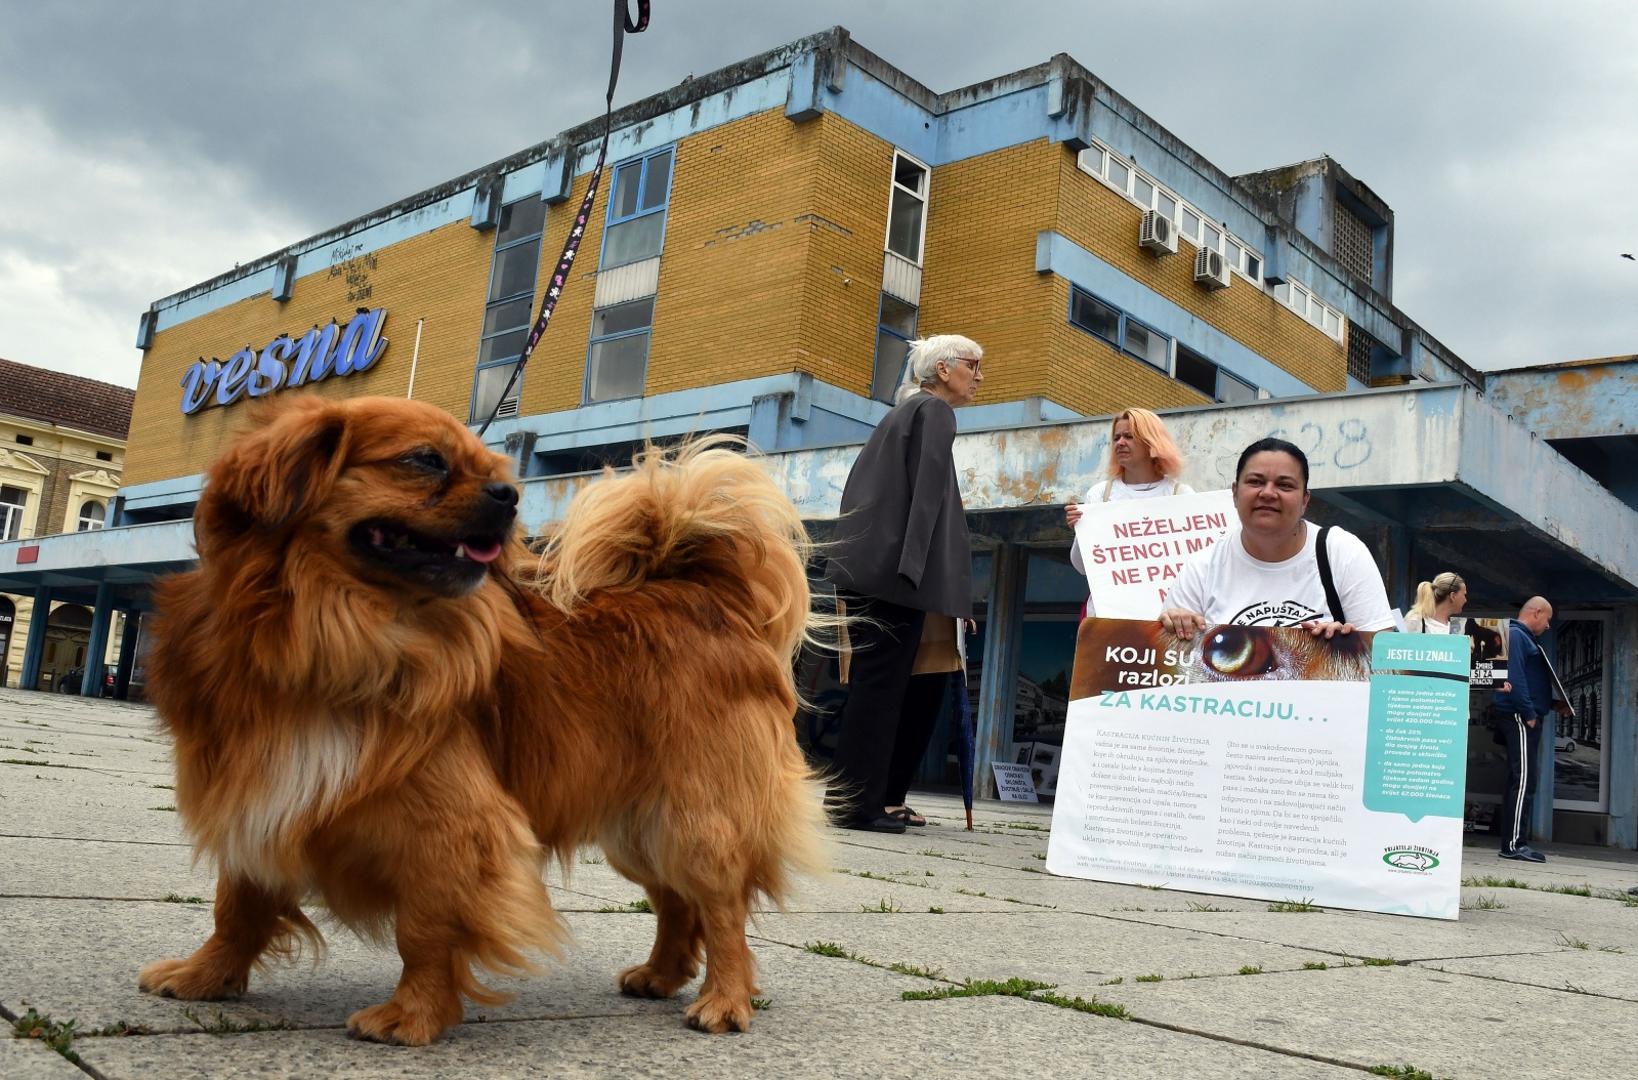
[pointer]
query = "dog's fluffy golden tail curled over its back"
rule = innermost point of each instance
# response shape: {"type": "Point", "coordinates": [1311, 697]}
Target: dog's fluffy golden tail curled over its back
{"type": "Point", "coordinates": [702, 512]}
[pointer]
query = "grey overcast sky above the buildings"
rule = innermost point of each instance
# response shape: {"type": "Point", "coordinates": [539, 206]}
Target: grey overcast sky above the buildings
{"type": "Point", "coordinates": [150, 147]}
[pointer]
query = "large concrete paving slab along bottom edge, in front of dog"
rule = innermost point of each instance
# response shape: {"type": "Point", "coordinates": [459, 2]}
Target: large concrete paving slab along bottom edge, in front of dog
{"type": "Point", "coordinates": [902, 1040]}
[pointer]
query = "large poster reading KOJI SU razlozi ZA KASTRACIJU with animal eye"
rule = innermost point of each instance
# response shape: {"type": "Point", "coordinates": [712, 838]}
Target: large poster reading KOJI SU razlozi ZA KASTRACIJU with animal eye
{"type": "Point", "coordinates": [1267, 763]}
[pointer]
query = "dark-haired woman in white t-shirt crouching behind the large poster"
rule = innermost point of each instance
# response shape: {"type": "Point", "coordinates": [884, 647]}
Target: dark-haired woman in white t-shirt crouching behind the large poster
{"type": "Point", "coordinates": [1267, 573]}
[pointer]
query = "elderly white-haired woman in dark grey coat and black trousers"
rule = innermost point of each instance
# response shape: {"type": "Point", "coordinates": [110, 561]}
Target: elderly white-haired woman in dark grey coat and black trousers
{"type": "Point", "coordinates": [903, 563]}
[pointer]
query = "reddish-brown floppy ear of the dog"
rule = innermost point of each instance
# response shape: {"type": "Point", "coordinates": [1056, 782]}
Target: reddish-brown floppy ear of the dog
{"type": "Point", "coordinates": [271, 473]}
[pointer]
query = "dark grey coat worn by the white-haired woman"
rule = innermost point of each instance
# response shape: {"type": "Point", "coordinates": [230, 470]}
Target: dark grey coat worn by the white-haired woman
{"type": "Point", "coordinates": [903, 533]}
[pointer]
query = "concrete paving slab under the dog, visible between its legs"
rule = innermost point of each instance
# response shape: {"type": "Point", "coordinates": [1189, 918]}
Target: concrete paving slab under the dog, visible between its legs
{"type": "Point", "coordinates": [79, 960]}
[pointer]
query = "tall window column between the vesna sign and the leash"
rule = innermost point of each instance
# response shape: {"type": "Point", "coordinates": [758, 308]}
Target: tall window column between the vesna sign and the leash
{"type": "Point", "coordinates": [510, 306]}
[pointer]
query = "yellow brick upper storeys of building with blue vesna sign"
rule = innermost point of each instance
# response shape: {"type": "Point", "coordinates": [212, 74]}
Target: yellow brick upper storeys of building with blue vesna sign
{"type": "Point", "coordinates": [776, 232]}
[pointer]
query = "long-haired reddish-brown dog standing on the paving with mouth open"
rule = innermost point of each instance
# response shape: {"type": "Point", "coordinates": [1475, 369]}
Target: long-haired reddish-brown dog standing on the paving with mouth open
{"type": "Point", "coordinates": [384, 702]}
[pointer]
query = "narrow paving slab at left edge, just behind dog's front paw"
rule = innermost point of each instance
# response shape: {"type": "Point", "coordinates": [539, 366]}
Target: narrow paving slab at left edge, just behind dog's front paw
{"type": "Point", "coordinates": [101, 869]}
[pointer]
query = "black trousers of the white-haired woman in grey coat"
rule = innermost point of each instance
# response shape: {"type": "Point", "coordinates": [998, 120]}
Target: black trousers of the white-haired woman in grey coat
{"type": "Point", "coordinates": [885, 640]}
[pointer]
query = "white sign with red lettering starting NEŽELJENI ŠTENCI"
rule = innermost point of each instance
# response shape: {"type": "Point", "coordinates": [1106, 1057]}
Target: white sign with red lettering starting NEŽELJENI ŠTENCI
{"type": "Point", "coordinates": [1133, 550]}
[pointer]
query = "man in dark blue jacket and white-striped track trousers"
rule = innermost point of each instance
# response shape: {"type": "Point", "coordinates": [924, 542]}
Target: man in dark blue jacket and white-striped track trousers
{"type": "Point", "coordinates": [1514, 717]}
